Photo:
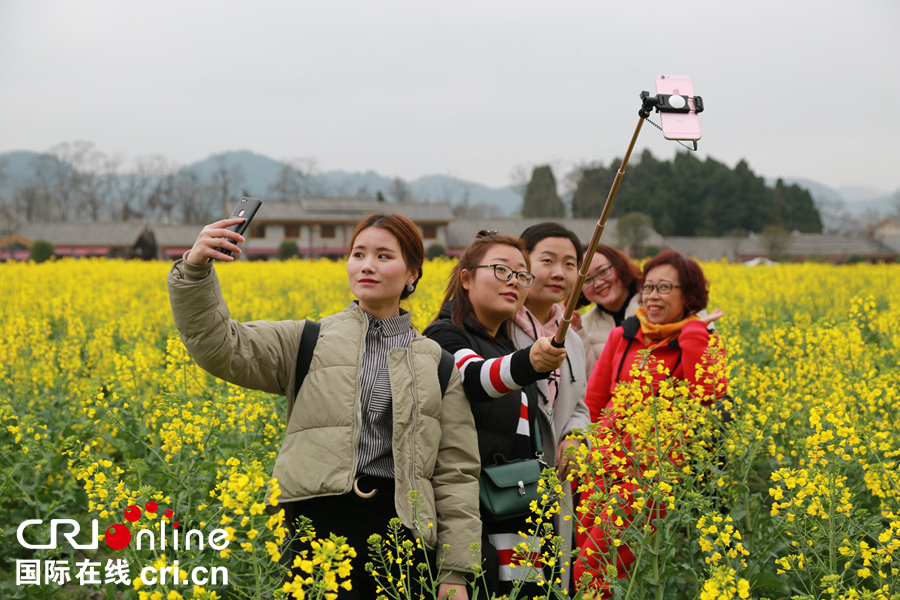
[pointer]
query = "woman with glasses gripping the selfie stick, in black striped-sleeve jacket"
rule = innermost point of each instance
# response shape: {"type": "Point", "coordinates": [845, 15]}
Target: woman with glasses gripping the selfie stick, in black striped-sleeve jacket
{"type": "Point", "coordinates": [488, 286]}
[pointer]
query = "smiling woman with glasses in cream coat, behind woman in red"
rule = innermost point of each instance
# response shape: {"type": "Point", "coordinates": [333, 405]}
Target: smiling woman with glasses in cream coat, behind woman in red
{"type": "Point", "coordinates": [612, 284]}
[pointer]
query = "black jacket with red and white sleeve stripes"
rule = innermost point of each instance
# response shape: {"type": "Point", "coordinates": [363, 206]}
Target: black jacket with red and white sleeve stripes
{"type": "Point", "coordinates": [495, 375]}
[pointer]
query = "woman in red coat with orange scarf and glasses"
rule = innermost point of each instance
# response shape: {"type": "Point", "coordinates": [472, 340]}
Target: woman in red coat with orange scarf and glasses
{"type": "Point", "coordinates": [673, 290]}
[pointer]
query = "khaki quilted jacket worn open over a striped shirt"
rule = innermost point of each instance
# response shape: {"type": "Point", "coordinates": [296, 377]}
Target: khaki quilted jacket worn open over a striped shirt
{"type": "Point", "coordinates": [435, 446]}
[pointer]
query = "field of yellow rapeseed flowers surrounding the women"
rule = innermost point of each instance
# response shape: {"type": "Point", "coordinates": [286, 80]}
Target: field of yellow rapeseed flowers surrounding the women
{"type": "Point", "coordinates": [101, 408]}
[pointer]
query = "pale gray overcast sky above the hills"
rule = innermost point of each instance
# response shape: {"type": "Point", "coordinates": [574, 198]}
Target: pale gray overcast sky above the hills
{"type": "Point", "coordinates": [463, 88]}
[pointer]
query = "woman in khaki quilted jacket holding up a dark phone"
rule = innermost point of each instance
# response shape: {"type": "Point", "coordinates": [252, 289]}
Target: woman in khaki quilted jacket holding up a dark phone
{"type": "Point", "coordinates": [369, 424]}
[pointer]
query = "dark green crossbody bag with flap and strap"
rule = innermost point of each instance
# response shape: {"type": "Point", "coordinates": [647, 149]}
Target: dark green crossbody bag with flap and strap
{"type": "Point", "coordinates": [506, 490]}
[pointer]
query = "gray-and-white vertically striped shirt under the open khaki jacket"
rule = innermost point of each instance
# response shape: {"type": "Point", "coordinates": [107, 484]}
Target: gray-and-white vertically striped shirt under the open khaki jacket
{"type": "Point", "coordinates": [375, 456]}
